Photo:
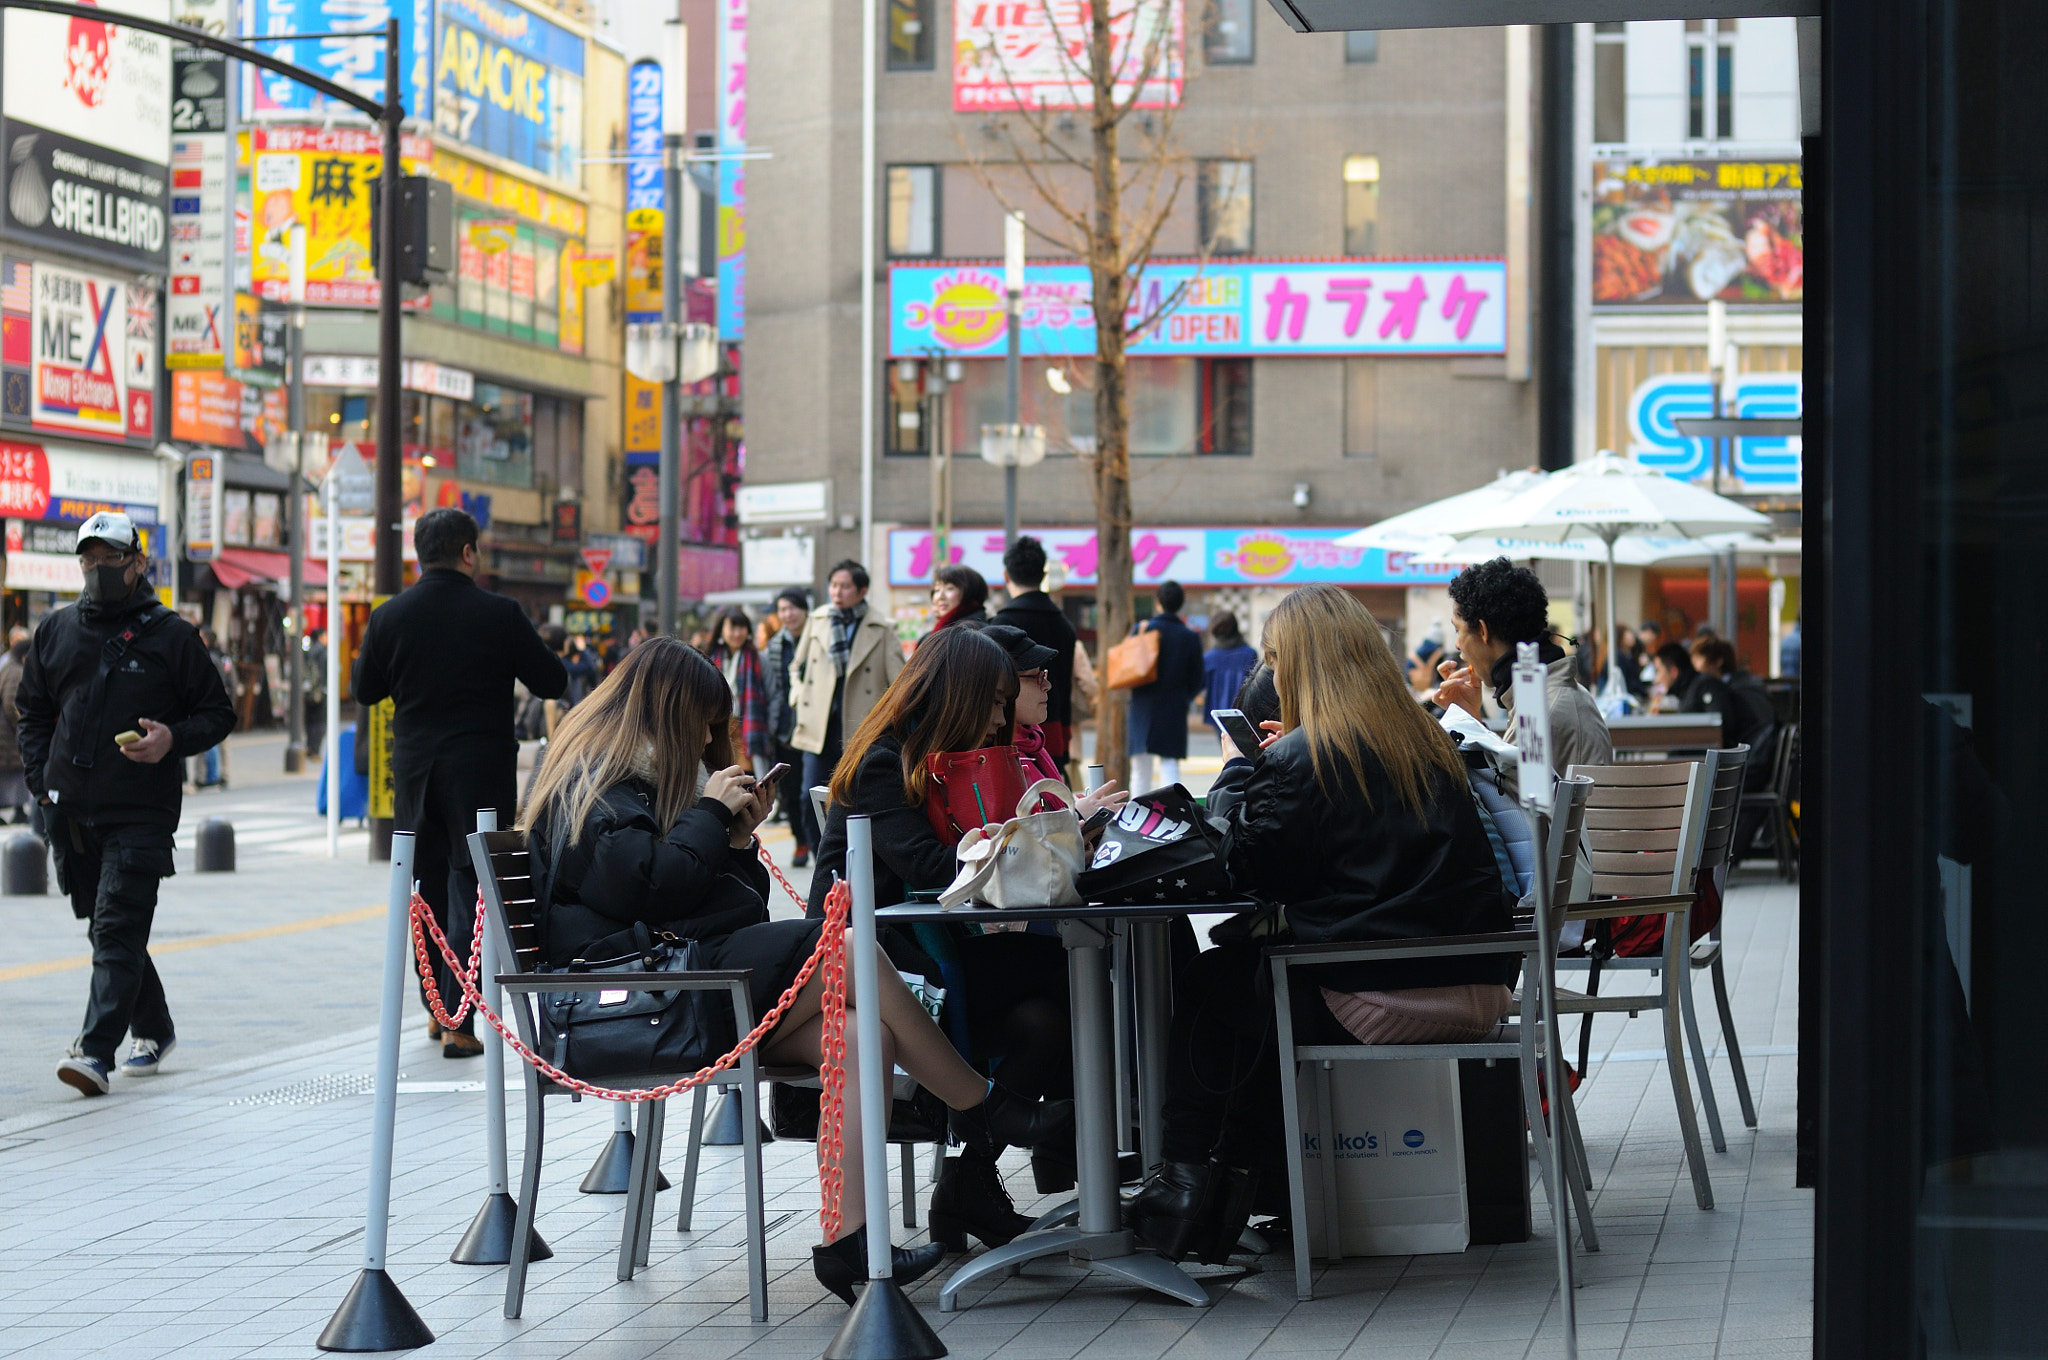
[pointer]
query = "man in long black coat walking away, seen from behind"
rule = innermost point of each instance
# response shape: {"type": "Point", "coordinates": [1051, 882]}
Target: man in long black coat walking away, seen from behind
{"type": "Point", "coordinates": [447, 654]}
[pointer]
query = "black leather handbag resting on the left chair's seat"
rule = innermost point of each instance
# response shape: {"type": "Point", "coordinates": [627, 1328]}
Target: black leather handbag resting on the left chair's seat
{"type": "Point", "coordinates": [597, 1035]}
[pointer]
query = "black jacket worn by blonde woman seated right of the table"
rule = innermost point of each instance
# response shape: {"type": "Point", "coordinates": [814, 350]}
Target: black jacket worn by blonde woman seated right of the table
{"type": "Point", "coordinates": [1359, 865]}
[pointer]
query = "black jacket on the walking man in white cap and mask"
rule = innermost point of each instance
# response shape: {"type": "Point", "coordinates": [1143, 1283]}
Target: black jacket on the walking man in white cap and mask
{"type": "Point", "coordinates": [163, 673]}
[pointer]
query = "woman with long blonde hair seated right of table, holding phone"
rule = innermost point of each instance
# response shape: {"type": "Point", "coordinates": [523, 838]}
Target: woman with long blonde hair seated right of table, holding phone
{"type": "Point", "coordinates": [1355, 816]}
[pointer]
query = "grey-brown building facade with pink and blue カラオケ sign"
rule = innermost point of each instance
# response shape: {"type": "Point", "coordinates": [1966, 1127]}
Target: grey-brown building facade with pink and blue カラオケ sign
{"type": "Point", "coordinates": [1324, 185]}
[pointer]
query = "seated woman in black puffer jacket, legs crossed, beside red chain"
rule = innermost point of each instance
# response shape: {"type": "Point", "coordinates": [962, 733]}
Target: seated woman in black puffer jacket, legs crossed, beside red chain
{"type": "Point", "coordinates": [644, 816]}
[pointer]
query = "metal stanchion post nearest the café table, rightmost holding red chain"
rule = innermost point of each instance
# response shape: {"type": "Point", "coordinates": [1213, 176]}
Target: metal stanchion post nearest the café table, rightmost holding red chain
{"type": "Point", "coordinates": [884, 1324]}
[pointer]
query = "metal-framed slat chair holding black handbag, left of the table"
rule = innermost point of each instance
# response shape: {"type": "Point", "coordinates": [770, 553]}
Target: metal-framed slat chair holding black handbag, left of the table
{"type": "Point", "coordinates": [507, 882]}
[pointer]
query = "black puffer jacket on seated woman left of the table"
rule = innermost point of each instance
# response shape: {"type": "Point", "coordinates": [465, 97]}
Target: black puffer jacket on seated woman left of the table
{"type": "Point", "coordinates": [626, 869]}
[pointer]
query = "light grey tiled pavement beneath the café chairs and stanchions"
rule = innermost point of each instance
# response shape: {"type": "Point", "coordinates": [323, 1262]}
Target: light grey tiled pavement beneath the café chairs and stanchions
{"type": "Point", "coordinates": [220, 1209]}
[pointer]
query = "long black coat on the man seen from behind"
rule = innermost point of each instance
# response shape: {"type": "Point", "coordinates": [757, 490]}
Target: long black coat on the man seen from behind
{"type": "Point", "coordinates": [447, 654]}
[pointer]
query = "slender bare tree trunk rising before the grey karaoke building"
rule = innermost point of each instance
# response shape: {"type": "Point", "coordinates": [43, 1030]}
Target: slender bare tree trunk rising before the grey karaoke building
{"type": "Point", "coordinates": [1113, 400]}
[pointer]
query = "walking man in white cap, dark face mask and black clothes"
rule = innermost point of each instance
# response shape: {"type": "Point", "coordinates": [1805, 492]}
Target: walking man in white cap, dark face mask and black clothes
{"type": "Point", "coordinates": [116, 693]}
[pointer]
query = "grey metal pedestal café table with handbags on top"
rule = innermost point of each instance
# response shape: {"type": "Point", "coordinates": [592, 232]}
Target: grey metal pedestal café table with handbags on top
{"type": "Point", "coordinates": [1097, 1238]}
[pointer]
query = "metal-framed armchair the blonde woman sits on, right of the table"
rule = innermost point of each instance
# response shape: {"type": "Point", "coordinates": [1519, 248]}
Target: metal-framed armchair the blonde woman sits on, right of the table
{"type": "Point", "coordinates": [1514, 1042]}
